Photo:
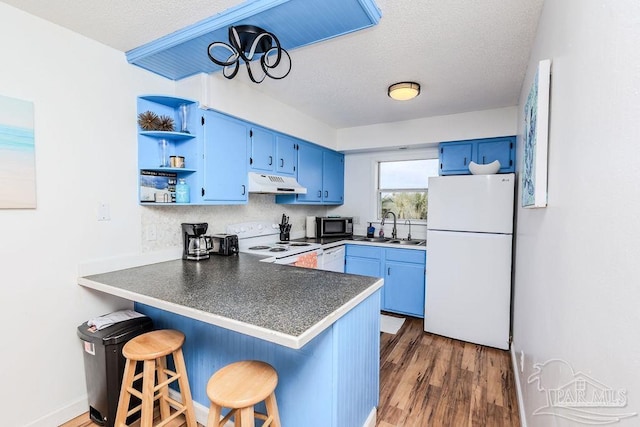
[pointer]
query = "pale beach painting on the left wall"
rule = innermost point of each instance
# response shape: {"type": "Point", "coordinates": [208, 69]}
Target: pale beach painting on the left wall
{"type": "Point", "coordinates": [17, 155]}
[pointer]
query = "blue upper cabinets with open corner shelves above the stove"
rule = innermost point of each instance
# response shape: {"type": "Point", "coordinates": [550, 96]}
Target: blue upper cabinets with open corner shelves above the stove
{"type": "Point", "coordinates": [219, 150]}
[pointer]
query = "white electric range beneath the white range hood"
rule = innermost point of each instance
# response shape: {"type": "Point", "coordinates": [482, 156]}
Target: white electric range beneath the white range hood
{"type": "Point", "coordinates": [263, 238]}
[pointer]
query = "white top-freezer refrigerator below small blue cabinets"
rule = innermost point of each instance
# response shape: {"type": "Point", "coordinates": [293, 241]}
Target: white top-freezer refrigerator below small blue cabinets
{"type": "Point", "coordinates": [469, 246]}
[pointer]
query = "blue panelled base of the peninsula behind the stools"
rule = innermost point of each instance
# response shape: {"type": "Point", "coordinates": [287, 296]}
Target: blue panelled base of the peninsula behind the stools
{"type": "Point", "coordinates": [333, 381]}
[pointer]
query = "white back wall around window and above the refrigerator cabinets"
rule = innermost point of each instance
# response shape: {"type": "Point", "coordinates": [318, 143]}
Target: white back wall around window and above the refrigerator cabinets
{"type": "Point", "coordinates": [366, 145]}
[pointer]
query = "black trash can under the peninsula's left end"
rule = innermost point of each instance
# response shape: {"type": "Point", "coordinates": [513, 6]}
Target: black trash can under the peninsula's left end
{"type": "Point", "coordinates": [104, 364]}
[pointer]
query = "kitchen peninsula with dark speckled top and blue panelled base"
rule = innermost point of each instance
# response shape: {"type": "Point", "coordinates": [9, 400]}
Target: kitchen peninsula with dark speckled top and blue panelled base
{"type": "Point", "coordinates": [320, 330]}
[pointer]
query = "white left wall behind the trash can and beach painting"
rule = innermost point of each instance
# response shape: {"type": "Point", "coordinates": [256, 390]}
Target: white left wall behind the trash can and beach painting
{"type": "Point", "coordinates": [84, 97]}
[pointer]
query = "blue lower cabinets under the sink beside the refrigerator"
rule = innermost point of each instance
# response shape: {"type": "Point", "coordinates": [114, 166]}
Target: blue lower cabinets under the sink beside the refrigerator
{"type": "Point", "coordinates": [403, 271]}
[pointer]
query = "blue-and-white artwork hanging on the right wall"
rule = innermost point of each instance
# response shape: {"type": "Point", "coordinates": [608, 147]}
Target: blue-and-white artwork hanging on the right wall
{"type": "Point", "coordinates": [536, 131]}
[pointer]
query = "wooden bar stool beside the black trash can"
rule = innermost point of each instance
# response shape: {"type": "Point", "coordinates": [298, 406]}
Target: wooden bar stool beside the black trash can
{"type": "Point", "coordinates": [152, 350]}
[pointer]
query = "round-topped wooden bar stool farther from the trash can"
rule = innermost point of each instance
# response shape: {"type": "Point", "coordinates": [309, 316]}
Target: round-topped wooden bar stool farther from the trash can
{"type": "Point", "coordinates": [239, 386]}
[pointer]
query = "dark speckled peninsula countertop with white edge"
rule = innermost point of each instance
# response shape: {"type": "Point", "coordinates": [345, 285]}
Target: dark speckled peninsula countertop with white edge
{"type": "Point", "coordinates": [282, 304]}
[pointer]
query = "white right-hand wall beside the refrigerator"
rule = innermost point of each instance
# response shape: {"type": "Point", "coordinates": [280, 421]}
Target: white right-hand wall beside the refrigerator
{"type": "Point", "coordinates": [576, 277]}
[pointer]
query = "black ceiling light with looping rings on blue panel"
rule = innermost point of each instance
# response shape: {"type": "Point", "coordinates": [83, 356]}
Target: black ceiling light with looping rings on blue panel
{"type": "Point", "coordinates": [246, 43]}
